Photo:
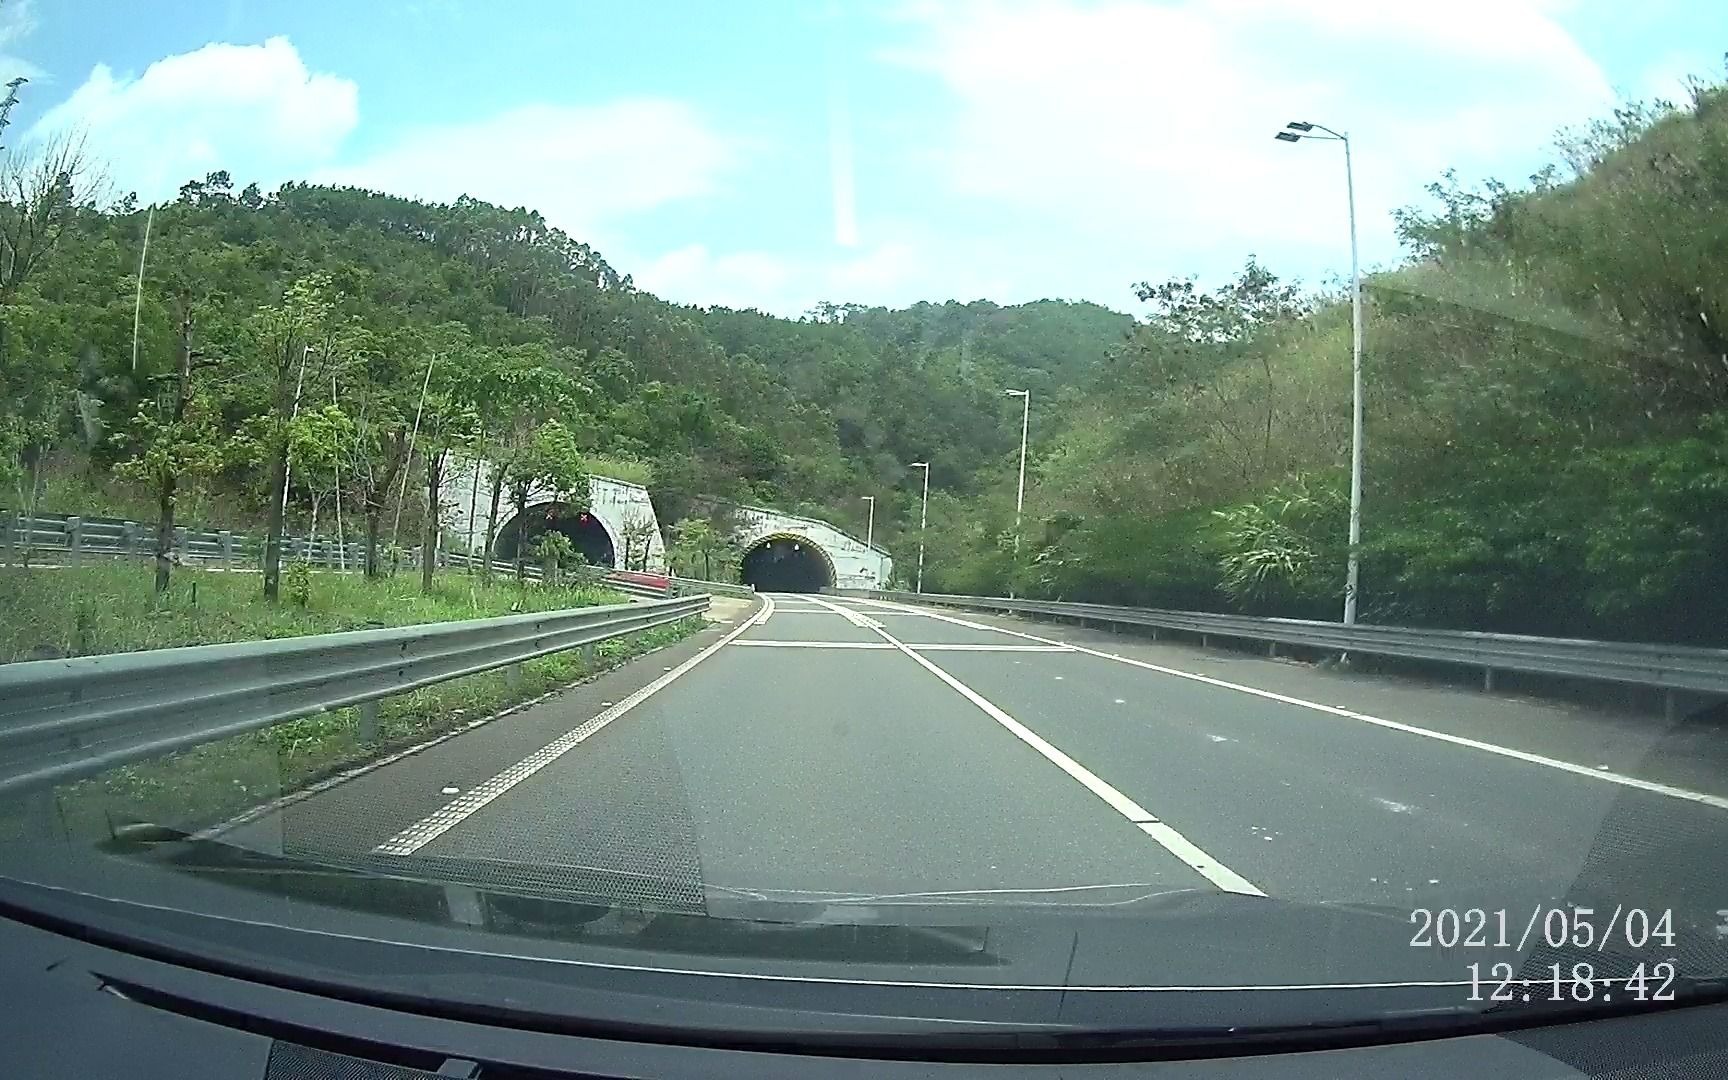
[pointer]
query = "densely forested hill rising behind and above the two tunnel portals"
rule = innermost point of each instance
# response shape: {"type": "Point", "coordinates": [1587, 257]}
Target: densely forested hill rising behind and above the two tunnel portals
{"type": "Point", "coordinates": [806, 416]}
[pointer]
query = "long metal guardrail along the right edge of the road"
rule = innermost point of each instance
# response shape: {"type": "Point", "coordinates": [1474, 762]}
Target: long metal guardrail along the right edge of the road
{"type": "Point", "coordinates": [1661, 666]}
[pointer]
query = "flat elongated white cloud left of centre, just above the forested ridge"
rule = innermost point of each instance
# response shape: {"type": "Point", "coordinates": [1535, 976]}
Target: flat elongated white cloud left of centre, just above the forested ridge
{"type": "Point", "coordinates": [580, 165]}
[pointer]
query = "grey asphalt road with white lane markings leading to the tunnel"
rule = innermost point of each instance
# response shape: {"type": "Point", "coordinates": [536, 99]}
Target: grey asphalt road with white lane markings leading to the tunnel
{"type": "Point", "coordinates": [837, 746]}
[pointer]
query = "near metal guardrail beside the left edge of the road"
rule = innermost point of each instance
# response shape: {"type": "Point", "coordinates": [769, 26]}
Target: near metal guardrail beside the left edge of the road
{"type": "Point", "coordinates": [67, 720]}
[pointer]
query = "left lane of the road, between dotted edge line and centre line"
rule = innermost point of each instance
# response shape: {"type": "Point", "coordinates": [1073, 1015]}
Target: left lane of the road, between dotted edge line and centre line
{"type": "Point", "coordinates": [797, 763]}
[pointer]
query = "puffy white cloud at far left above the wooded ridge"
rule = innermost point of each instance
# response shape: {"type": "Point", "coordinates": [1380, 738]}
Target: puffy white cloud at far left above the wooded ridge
{"type": "Point", "coordinates": [253, 110]}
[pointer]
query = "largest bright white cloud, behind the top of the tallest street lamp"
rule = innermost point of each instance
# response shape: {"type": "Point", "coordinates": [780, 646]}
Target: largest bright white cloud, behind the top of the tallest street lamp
{"type": "Point", "coordinates": [1147, 129]}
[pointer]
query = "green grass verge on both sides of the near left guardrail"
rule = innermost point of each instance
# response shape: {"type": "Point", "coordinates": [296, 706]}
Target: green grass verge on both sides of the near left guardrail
{"type": "Point", "coordinates": [106, 609]}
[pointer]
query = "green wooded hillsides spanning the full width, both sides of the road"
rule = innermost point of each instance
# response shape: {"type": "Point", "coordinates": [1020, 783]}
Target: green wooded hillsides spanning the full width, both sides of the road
{"type": "Point", "coordinates": [1547, 390]}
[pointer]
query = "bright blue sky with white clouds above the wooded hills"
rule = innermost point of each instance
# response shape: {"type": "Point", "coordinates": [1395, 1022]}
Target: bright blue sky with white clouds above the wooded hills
{"type": "Point", "coordinates": [775, 155]}
